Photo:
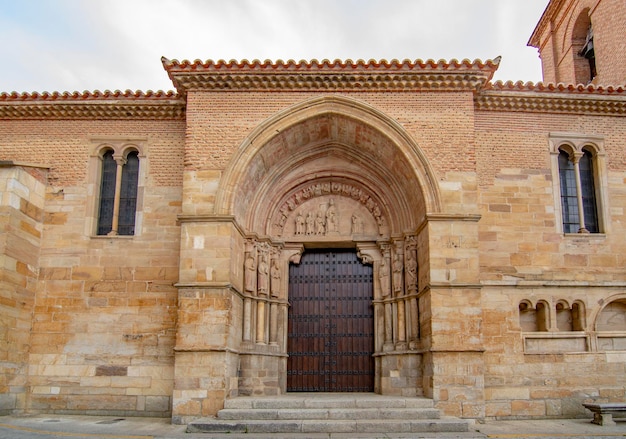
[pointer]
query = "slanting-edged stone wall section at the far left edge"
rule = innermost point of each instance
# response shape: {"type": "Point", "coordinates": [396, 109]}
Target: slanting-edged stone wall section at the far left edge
{"type": "Point", "coordinates": [22, 189]}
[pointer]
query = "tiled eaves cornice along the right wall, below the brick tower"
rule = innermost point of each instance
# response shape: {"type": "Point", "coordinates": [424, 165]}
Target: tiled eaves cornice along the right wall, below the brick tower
{"type": "Point", "coordinates": [552, 98]}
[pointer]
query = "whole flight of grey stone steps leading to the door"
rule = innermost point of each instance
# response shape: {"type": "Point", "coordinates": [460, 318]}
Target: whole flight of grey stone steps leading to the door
{"type": "Point", "coordinates": [328, 413]}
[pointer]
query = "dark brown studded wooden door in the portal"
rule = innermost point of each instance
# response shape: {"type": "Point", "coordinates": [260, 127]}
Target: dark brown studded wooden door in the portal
{"type": "Point", "coordinates": [331, 324]}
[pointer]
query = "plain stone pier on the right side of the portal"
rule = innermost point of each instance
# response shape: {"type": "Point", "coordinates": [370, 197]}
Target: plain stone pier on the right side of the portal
{"type": "Point", "coordinates": [451, 317]}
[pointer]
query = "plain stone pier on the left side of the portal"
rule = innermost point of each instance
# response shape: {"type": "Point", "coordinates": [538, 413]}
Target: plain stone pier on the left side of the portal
{"type": "Point", "coordinates": [210, 309]}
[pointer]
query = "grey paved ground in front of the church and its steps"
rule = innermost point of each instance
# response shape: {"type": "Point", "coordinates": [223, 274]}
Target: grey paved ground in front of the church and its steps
{"type": "Point", "coordinates": [90, 427]}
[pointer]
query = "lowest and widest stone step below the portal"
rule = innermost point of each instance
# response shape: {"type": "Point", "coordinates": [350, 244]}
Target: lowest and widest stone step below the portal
{"type": "Point", "coordinates": [445, 425]}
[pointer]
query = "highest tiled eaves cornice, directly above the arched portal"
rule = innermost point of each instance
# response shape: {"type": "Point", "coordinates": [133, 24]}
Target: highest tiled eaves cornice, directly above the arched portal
{"type": "Point", "coordinates": [330, 75]}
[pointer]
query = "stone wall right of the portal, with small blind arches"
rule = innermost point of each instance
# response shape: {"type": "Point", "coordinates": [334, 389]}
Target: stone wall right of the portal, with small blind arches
{"type": "Point", "coordinates": [526, 263]}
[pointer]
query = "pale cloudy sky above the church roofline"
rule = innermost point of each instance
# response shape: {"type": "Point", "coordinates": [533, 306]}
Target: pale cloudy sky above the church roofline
{"type": "Point", "coordinates": [77, 45]}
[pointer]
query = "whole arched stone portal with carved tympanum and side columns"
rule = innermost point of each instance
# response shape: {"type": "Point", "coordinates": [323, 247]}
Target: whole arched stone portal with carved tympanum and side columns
{"type": "Point", "coordinates": [329, 173]}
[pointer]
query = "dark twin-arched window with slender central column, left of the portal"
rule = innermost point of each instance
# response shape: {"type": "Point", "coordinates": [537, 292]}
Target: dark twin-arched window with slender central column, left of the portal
{"type": "Point", "coordinates": [118, 196]}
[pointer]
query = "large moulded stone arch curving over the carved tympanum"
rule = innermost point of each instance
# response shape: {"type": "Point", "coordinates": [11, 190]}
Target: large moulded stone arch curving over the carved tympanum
{"type": "Point", "coordinates": [336, 141]}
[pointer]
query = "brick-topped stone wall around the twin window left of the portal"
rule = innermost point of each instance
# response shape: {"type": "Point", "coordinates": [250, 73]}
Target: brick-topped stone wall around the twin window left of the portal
{"type": "Point", "coordinates": [104, 314]}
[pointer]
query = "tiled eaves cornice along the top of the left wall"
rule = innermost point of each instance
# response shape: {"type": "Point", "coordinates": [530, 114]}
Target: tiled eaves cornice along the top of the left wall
{"type": "Point", "coordinates": [92, 105]}
